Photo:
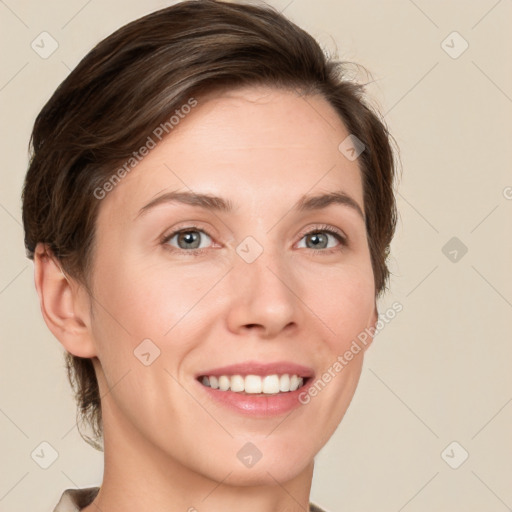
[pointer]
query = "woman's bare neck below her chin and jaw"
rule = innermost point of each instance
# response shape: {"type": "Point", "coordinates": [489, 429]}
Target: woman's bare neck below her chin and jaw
{"type": "Point", "coordinates": [140, 476]}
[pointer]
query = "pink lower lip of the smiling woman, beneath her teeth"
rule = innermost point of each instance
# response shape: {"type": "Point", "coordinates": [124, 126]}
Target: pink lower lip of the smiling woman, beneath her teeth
{"type": "Point", "coordinates": [259, 405]}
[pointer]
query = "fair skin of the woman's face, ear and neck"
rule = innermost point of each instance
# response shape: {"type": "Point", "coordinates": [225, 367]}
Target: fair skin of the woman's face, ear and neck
{"type": "Point", "coordinates": [167, 445]}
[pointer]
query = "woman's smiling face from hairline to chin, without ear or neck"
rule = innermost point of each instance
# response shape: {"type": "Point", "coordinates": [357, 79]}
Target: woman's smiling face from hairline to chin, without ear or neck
{"type": "Point", "coordinates": [252, 278]}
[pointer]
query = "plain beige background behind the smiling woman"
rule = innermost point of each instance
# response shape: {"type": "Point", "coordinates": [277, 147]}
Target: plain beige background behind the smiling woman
{"type": "Point", "coordinates": [439, 372]}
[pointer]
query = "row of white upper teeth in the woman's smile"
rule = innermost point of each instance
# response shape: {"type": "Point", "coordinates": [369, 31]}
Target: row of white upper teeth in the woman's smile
{"type": "Point", "coordinates": [254, 384]}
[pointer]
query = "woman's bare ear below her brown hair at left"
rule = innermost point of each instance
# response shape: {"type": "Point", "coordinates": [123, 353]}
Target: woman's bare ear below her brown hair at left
{"type": "Point", "coordinates": [65, 304]}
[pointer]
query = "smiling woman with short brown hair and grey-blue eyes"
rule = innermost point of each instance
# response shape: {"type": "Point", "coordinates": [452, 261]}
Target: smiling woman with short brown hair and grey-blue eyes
{"type": "Point", "coordinates": [209, 207]}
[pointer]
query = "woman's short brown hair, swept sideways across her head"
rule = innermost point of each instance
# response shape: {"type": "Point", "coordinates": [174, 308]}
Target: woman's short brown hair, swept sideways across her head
{"type": "Point", "coordinates": [132, 81]}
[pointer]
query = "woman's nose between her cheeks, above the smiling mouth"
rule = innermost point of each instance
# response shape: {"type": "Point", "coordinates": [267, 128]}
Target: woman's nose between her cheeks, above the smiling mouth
{"type": "Point", "coordinates": [264, 297]}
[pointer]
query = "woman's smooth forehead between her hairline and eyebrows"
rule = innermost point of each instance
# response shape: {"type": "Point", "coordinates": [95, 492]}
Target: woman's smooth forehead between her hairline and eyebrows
{"type": "Point", "coordinates": [253, 145]}
